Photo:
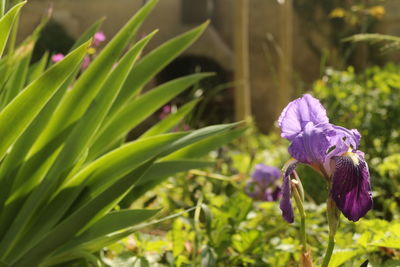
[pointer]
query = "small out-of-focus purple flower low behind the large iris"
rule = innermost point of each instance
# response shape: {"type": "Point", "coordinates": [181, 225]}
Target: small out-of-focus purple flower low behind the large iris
{"type": "Point", "coordinates": [262, 185]}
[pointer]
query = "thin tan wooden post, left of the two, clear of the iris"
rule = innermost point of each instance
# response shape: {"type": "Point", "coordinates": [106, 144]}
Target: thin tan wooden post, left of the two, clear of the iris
{"type": "Point", "coordinates": [241, 49]}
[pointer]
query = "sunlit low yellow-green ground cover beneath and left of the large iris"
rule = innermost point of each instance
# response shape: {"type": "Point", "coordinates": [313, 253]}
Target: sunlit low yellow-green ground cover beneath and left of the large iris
{"type": "Point", "coordinates": [228, 228]}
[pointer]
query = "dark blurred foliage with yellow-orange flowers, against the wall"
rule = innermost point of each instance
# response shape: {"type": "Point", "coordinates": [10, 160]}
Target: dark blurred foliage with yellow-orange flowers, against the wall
{"type": "Point", "coordinates": [324, 25]}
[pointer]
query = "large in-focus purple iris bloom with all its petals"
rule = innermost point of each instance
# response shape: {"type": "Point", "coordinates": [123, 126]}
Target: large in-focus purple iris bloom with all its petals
{"type": "Point", "coordinates": [329, 149]}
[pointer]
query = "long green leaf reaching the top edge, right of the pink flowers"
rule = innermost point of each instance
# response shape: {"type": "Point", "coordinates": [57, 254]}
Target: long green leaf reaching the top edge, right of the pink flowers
{"type": "Point", "coordinates": [72, 108]}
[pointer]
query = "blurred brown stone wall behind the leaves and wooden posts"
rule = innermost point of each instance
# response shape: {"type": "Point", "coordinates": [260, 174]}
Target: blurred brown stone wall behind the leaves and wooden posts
{"type": "Point", "coordinates": [216, 43]}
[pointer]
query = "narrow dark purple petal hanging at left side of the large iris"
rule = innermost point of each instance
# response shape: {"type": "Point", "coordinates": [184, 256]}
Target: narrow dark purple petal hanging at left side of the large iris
{"type": "Point", "coordinates": [286, 203]}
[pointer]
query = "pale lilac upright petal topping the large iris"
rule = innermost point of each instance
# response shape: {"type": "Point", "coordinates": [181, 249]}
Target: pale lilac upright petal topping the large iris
{"type": "Point", "coordinates": [298, 113]}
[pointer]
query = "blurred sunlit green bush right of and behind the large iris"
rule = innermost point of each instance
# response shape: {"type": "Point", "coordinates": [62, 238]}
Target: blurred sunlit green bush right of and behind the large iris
{"type": "Point", "coordinates": [369, 101]}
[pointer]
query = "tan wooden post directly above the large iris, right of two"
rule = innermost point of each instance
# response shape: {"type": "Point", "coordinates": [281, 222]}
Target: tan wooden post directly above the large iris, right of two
{"type": "Point", "coordinates": [286, 44]}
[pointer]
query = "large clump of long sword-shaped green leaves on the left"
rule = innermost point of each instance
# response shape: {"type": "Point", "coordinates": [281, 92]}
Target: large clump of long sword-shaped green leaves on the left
{"type": "Point", "coordinates": [64, 165]}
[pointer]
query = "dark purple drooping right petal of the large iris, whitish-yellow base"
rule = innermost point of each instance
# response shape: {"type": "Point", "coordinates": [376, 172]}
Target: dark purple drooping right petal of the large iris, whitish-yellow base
{"type": "Point", "coordinates": [351, 189]}
